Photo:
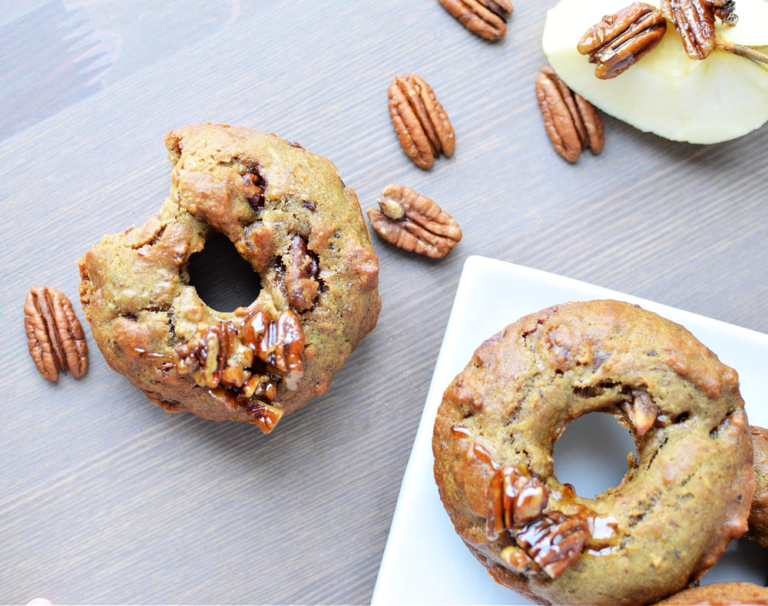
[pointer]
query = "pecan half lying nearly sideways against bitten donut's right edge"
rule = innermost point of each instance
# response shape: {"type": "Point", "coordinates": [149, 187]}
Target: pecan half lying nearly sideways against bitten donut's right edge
{"type": "Point", "coordinates": [414, 223]}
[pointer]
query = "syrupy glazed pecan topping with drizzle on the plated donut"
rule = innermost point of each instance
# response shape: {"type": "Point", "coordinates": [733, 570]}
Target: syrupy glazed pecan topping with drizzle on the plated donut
{"type": "Point", "coordinates": [548, 542]}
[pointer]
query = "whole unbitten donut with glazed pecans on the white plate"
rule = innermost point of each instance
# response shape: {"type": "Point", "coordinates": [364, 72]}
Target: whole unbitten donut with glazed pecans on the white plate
{"type": "Point", "coordinates": [676, 509]}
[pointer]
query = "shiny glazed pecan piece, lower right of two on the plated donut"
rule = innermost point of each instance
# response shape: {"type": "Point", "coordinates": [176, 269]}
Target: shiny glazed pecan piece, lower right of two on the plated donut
{"type": "Point", "coordinates": [554, 541]}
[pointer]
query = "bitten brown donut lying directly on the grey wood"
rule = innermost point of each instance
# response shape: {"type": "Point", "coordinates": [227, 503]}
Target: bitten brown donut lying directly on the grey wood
{"type": "Point", "coordinates": [289, 215]}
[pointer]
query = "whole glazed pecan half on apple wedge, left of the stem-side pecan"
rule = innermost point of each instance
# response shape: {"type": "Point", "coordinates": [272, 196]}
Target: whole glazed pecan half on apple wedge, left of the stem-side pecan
{"type": "Point", "coordinates": [621, 40]}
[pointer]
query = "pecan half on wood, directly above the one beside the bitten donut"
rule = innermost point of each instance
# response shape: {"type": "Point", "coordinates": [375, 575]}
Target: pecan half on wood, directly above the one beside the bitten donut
{"type": "Point", "coordinates": [421, 124]}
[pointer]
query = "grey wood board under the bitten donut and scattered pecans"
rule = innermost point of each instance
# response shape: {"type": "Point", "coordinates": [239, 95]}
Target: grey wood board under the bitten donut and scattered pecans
{"type": "Point", "coordinates": [106, 499]}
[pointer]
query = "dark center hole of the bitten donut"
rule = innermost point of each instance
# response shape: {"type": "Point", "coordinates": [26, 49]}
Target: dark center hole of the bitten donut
{"type": "Point", "coordinates": [222, 278]}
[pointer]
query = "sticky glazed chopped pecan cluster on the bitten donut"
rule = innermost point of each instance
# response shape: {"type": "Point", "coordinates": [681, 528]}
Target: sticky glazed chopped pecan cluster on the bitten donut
{"type": "Point", "coordinates": [240, 362]}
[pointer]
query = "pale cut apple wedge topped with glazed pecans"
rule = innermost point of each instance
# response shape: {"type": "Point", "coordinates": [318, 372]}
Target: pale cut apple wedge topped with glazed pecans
{"type": "Point", "coordinates": [666, 93]}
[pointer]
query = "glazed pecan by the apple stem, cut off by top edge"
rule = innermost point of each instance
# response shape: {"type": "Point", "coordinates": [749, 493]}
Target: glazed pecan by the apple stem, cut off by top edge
{"type": "Point", "coordinates": [694, 20]}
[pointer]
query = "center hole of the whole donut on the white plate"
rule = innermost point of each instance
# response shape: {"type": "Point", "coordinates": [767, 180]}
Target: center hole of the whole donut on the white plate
{"type": "Point", "coordinates": [591, 455]}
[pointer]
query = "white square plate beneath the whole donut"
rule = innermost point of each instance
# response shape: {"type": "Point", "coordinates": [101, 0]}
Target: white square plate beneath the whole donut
{"type": "Point", "coordinates": [425, 562]}
